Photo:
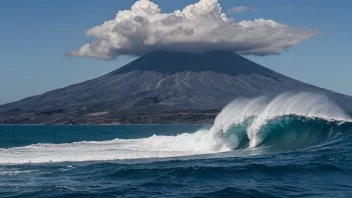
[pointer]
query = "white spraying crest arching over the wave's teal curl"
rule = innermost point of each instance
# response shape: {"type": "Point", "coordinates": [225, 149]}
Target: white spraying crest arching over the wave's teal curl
{"type": "Point", "coordinates": [300, 104]}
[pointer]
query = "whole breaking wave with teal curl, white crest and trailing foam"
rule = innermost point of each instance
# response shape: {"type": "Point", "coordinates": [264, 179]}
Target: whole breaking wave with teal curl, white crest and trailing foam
{"type": "Point", "coordinates": [287, 122]}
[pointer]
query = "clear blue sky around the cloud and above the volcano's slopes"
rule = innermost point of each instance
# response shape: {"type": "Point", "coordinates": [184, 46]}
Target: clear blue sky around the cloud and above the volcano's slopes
{"type": "Point", "coordinates": [36, 34]}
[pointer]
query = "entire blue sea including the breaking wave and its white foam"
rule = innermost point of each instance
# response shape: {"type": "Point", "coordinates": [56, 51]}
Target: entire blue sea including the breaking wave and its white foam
{"type": "Point", "coordinates": [291, 146]}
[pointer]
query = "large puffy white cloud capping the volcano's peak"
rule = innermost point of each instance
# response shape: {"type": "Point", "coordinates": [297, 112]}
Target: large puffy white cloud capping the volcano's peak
{"type": "Point", "coordinates": [198, 27]}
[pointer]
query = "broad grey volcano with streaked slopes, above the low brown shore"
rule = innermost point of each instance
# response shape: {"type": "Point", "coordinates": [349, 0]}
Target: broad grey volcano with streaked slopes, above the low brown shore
{"type": "Point", "coordinates": [168, 81]}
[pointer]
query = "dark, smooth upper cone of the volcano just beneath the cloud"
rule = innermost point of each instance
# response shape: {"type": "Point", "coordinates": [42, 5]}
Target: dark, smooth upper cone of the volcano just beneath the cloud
{"type": "Point", "coordinates": [224, 62]}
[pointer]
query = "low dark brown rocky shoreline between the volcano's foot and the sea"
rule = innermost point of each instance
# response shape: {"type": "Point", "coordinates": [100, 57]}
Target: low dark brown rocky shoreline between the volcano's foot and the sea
{"type": "Point", "coordinates": [59, 117]}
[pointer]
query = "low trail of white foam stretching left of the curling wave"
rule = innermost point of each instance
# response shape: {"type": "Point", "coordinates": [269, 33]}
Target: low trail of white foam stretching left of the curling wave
{"type": "Point", "coordinates": [118, 149]}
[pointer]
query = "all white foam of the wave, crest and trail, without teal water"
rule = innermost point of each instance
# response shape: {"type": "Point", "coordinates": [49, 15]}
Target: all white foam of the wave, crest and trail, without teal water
{"type": "Point", "coordinates": [201, 142]}
